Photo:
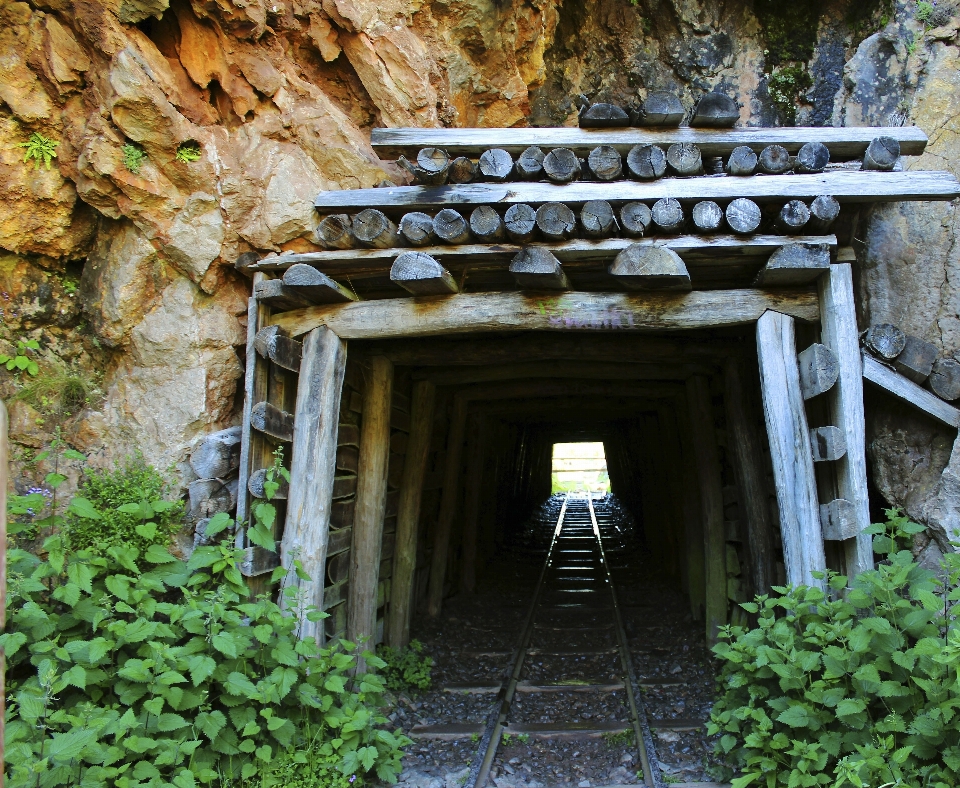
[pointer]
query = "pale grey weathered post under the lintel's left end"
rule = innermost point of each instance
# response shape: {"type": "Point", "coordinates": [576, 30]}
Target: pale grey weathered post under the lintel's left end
{"type": "Point", "coordinates": [312, 469]}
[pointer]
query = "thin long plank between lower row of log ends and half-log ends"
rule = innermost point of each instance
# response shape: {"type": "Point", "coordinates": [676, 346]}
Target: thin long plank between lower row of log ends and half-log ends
{"type": "Point", "coordinates": [578, 250]}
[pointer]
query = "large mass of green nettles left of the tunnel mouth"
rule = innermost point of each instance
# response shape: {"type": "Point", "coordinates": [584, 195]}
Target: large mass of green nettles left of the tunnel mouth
{"type": "Point", "coordinates": [134, 669]}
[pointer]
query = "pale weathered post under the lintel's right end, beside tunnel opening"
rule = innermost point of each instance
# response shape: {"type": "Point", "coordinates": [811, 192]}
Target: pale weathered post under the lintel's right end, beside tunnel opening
{"type": "Point", "coordinates": [790, 449]}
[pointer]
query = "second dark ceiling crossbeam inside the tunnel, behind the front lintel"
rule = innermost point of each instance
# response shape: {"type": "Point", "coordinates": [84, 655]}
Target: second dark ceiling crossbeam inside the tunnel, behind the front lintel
{"type": "Point", "coordinates": [561, 369]}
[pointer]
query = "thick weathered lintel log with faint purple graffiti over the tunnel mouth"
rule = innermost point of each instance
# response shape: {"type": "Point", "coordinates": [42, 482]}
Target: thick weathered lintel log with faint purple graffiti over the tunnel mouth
{"type": "Point", "coordinates": [575, 311]}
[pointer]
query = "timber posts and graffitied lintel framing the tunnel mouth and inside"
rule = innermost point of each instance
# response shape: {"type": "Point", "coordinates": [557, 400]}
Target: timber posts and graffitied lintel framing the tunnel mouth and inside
{"type": "Point", "coordinates": [326, 330]}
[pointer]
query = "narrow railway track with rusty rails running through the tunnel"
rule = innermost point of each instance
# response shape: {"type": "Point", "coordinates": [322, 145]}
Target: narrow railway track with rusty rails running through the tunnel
{"type": "Point", "coordinates": [574, 611]}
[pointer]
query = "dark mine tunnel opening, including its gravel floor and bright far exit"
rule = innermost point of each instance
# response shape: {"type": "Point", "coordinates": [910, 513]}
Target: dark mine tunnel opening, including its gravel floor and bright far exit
{"type": "Point", "coordinates": [581, 520]}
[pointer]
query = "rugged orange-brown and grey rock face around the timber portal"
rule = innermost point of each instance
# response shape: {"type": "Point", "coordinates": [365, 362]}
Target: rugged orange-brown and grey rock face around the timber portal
{"type": "Point", "coordinates": [118, 258]}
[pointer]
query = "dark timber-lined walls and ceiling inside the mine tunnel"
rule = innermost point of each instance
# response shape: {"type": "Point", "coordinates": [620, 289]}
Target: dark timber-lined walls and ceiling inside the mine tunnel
{"type": "Point", "coordinates": [681, 422]}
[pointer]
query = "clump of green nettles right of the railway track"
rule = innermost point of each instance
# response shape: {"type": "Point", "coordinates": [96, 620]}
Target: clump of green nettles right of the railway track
{"type": "Point", "coordinates": [847, 689]}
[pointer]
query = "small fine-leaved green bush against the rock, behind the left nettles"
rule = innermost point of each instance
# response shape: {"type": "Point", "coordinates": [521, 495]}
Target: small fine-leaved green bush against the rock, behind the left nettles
{"type": "Point", "coordinates": [127, 507]}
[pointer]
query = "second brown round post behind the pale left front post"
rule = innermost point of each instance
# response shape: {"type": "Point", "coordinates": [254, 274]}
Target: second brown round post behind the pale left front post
{"type": "Point", "coordinates": [408, 514]}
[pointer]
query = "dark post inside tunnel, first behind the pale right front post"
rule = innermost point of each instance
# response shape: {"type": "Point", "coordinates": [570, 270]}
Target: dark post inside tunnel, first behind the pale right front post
{"type": "Point", "coordinates": [751, 479]}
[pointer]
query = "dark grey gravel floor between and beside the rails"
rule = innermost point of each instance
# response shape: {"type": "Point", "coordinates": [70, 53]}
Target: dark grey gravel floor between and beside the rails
{"type": "Point", "coordinates": [666, 646]}
